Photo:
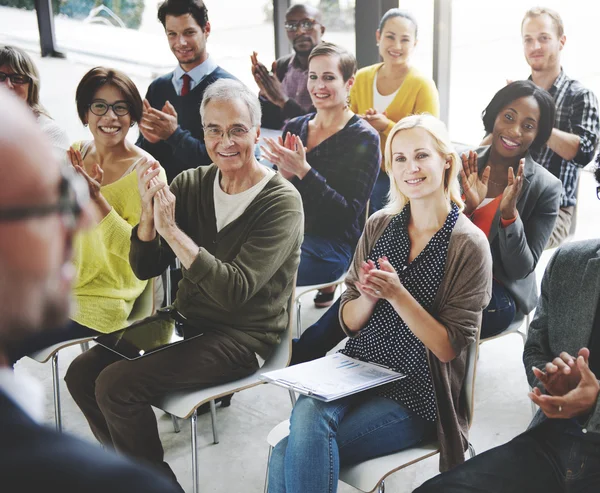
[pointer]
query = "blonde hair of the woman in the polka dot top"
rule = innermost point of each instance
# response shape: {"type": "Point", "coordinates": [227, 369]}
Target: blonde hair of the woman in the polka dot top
{"type": "Point", "coordinates": [436, 128]}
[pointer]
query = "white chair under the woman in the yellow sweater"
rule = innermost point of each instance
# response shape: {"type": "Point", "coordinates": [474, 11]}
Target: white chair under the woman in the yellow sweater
{"type": "Point", "coordinates": [142, 308]}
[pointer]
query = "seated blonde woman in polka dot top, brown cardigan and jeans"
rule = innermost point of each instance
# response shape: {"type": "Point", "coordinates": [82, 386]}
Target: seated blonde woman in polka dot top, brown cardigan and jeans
{"type": "Point", "coordinates": [421, 275]}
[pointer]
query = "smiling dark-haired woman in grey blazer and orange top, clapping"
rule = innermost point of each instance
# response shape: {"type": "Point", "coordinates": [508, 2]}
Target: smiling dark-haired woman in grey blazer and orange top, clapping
{"type": "Point", "coordinates": [511, 198]}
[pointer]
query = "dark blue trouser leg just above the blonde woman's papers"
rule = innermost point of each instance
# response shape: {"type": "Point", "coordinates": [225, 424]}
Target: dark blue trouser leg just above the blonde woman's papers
{"type": "Point", "coordinates": [319, 338]}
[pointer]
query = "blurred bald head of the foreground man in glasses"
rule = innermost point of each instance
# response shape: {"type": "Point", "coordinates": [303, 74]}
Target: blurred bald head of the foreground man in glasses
{"type": "Point", "coordinates": [35, 273]}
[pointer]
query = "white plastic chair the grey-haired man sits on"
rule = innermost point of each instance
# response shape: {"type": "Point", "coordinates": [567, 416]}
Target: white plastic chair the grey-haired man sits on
{"type": "Point", "coordinates": [184, 404]}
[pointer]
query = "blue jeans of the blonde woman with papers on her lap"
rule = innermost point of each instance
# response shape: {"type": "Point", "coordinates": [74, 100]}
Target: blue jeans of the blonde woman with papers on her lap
{"type": "Point", "coordinates": [324, 435]}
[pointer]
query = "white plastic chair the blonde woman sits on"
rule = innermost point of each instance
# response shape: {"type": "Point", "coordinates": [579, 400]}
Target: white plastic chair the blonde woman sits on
{"type": "Point", "coordinates": [369, 476]}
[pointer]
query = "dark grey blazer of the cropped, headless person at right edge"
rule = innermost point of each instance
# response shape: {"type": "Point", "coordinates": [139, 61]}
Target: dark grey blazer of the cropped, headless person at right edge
{"type": "Point", "coordinates": [564, 317]}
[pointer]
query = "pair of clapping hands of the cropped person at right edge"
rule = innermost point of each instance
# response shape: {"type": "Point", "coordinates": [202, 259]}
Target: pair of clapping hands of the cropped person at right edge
{"type": "Point", "coordinates": [576, 401]}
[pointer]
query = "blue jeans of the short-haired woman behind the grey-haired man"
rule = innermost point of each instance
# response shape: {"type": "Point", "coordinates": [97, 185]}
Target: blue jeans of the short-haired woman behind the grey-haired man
{"type": "Point", "coordinates": [322, 260]}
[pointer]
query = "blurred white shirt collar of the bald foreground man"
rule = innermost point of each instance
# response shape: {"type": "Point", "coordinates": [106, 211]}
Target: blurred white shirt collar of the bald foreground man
{"type": "Point", "coordinates": [25, 391]}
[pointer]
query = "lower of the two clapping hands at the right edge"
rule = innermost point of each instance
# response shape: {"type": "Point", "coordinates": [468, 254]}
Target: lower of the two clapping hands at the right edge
{"type": "Point", "coordinates": [577, 401]}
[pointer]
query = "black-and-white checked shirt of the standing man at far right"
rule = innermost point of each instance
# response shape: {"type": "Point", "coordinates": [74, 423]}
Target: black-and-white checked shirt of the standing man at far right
{"type": "Point", "coordinates": [576, 113]}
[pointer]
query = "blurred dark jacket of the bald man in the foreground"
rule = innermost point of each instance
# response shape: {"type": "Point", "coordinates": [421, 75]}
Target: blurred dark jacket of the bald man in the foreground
{"type": "Point", "coordinates": [34, 458]}
